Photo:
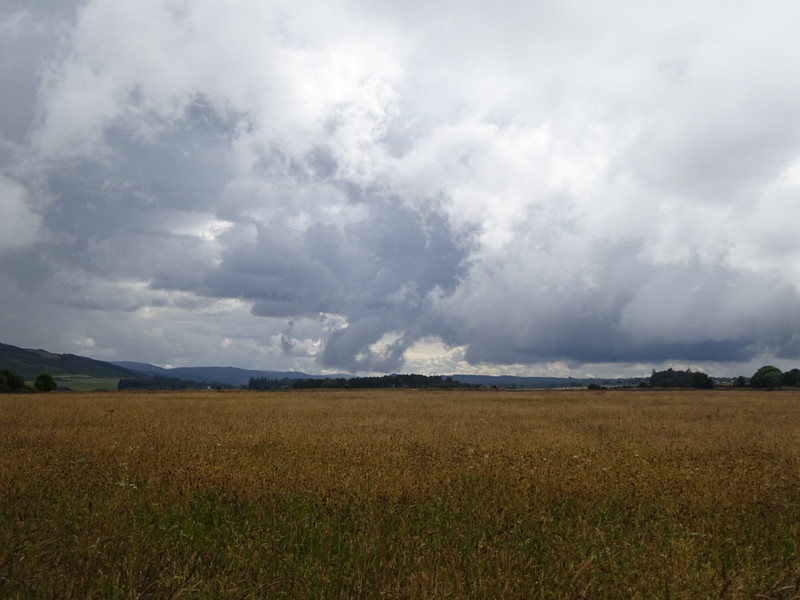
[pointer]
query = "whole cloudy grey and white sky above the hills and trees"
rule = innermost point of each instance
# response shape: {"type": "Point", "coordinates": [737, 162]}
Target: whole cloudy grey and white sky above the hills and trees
{"type": "Point", "coordinates": [557, 188]}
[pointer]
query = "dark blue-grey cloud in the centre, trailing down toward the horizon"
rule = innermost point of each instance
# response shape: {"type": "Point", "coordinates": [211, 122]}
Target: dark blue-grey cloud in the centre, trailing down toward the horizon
{"type": "Point", "coordinates": [378, 272]}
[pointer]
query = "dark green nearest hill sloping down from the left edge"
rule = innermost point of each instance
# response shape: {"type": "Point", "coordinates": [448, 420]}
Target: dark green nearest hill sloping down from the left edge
{"type": "Point", "coordinates": [29, 363]}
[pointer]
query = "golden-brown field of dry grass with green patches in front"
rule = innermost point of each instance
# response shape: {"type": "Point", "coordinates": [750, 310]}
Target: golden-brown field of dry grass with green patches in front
{"type": "Point", "coordinates": [401, 494]}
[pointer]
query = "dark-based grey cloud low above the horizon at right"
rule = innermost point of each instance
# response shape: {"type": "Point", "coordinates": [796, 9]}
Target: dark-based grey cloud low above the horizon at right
{"type": "Point", "coordinates": [628, 311]}
